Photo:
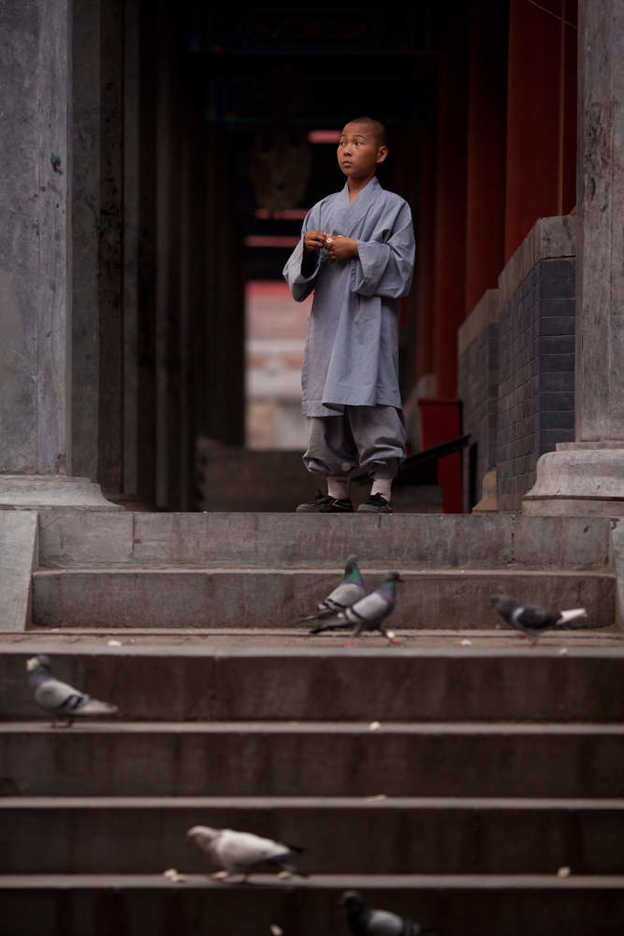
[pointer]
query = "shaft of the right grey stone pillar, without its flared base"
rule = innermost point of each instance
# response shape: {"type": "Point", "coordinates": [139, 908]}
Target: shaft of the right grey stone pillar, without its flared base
{"type": "Point", "coordinates": [600, 282]}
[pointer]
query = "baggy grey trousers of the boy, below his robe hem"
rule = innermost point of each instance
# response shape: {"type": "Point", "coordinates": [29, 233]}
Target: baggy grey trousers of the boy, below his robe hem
{"type": "Point", "coordinates": [371, 437]}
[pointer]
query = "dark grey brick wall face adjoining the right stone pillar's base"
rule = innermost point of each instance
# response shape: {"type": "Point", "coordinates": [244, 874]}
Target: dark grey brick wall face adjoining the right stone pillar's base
{"type": "Point", "coordinates": [536, 375]}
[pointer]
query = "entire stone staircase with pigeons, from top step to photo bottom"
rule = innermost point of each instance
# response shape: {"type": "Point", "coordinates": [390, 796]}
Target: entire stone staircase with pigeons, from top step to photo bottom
{"type": "Point", "coordinates": [448, 778]}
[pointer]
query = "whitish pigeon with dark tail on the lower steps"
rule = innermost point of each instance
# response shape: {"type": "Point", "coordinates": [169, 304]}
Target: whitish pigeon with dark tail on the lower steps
{"type": "Point", "coordinates": [242, 852]}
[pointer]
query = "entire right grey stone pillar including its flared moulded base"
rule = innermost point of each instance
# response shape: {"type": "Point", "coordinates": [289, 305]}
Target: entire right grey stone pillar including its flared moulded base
{"type": "Point", "coordinates": [586, 477]}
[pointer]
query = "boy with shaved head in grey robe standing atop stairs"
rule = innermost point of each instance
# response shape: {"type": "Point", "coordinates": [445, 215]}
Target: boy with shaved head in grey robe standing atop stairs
{"type": "Point", "coordinates": [357, 254]}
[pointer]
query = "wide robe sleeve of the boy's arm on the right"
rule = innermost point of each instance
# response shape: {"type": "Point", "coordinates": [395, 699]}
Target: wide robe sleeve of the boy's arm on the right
{"type": "Point", "coordinates": [386, 269]}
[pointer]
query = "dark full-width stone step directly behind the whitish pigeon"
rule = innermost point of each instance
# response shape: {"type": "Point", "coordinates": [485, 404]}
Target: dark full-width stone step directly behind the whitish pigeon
{"type": "Point", "coordinates": [340, 835]}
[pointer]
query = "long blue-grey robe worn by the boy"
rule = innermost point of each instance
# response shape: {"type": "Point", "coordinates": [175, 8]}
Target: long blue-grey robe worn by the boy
{"type": "Point", "coordinates": [351, 353]}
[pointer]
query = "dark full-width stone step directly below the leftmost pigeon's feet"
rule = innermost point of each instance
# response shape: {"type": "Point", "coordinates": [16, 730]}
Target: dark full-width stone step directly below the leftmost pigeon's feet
{"type": "Point", "coordinates": [312, 759]}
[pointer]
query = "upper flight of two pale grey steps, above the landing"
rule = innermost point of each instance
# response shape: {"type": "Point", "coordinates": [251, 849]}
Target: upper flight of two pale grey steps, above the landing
{"type": "Point", "coordinates": [263, 570]}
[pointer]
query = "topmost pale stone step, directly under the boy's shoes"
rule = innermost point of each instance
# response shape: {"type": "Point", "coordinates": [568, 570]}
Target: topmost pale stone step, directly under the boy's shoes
{"type": "Point", "coordinates": [72, 538]}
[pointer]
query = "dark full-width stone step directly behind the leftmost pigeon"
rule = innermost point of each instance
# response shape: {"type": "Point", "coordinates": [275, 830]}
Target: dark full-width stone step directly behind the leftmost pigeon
{"type": "Point", "coordinates": [218, 680]}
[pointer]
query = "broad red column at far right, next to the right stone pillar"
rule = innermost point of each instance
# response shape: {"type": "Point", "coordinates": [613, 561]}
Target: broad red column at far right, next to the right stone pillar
{"type": "Point", "coordinates": [541, 108]}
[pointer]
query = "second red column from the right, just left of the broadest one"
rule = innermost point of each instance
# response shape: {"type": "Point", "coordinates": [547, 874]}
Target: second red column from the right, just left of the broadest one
{"type": "Point", "coordinates": [487, 128]}
